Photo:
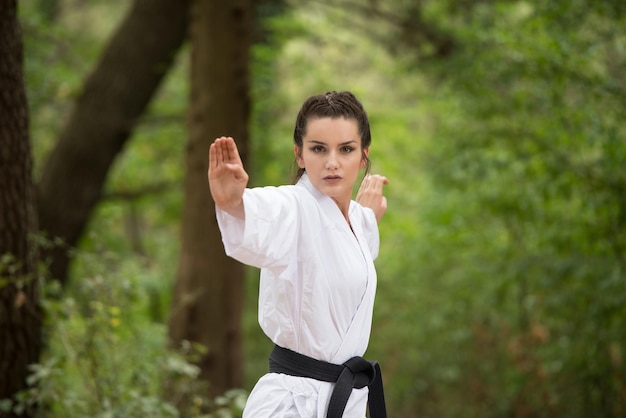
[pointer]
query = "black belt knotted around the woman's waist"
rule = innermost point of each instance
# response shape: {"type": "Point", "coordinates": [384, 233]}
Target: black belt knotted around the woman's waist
{"type": "Point", "coordinates": [354, 373]}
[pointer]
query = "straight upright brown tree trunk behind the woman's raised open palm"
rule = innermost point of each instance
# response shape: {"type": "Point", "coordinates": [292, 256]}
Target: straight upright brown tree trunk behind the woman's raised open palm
{"type": "Point", "coordinates": [209, 285]}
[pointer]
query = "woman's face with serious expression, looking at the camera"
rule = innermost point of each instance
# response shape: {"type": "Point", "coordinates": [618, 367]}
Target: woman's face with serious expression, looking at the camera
{"type": "Point", "coordinates": [332, 157]}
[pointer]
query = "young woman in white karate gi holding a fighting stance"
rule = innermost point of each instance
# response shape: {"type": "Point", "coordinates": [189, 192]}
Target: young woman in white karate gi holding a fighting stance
{"type": "Point", "coordinates": [315, 247]}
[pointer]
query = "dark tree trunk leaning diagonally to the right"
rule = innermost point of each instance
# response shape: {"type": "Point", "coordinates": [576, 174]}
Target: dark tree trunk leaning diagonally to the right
{"type": "Point", "coordinates": [113, 98]}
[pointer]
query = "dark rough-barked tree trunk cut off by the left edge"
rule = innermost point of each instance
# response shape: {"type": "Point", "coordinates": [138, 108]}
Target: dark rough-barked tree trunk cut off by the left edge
{"type": "Point", "coordinates": [20, 316]}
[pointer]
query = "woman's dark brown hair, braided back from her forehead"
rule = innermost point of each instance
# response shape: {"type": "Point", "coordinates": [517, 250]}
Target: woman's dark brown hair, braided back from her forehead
{"type": "Point", "coordinates": [333, 105]}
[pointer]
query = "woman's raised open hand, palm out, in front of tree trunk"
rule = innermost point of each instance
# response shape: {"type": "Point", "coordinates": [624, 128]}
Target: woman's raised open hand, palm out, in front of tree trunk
{"type": "Point", "coordinates": [227, 177]}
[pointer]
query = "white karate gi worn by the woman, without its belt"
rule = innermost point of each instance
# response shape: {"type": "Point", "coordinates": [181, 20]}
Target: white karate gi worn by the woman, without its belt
{"type": "Point", "coordinates": [316, 292]}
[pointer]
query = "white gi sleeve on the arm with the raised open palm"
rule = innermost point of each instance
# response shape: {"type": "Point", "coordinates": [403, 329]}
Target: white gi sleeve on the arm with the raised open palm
{"type": "Point", "coordinates": [267, 237]}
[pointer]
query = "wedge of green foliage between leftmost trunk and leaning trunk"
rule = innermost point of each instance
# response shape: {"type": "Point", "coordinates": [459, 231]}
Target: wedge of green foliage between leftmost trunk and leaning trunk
{"type": "Point", "coordinates": [58, 57]}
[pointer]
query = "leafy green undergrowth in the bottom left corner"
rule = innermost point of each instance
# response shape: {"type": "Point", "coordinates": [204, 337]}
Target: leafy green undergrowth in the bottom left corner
{"type": "Point", "coordinates": [106, 357]}
